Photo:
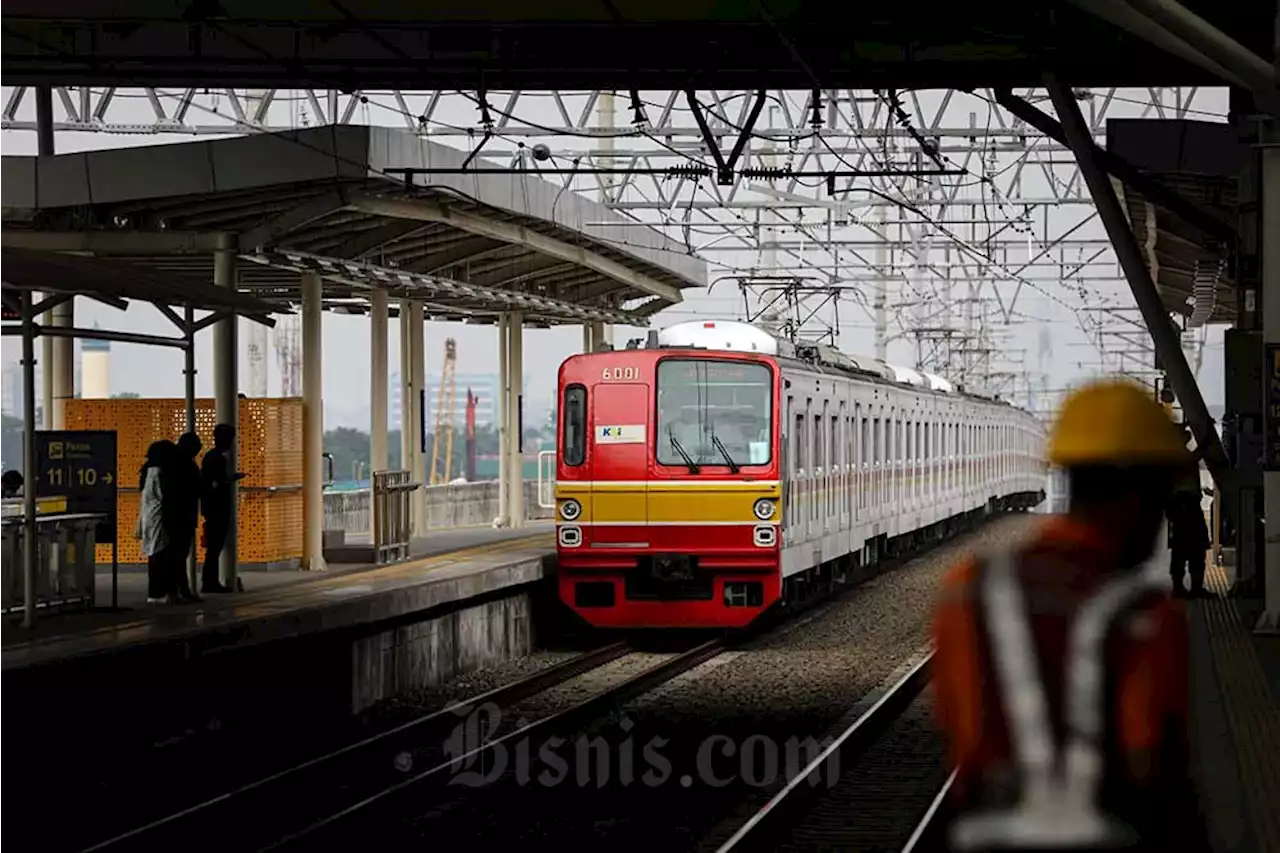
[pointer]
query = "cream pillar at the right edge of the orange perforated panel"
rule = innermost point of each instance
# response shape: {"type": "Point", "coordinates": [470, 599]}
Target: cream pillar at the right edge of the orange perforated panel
{"type": "Point", "coordinates": [313, 423]}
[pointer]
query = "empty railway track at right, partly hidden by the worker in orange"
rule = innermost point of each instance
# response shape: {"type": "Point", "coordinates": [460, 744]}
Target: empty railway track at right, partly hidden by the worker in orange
{"type": "Point", "coordinates": [879, 799]}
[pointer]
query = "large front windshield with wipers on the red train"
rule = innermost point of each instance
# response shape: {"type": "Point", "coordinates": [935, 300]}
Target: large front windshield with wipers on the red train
{"type": "Point", "coordinates": [715, 413]}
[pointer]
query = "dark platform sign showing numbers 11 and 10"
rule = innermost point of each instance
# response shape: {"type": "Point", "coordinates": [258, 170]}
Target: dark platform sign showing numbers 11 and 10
{"type": "Point", "coordinates": [80, 467]}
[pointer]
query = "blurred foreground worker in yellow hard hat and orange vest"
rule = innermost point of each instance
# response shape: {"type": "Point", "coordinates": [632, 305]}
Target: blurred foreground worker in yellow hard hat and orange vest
{"type": "Point", "coordinates": [1060, 669]}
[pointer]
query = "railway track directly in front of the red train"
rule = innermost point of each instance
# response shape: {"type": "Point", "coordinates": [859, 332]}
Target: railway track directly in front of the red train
{"type": "Point", "coordinates": [348, 787]}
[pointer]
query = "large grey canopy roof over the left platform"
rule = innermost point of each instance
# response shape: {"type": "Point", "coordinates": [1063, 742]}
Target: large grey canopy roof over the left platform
{"type": "Point", "coordinates": [331, 202]}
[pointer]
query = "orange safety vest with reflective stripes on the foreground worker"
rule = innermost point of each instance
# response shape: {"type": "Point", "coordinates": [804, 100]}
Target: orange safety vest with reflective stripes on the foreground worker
{"type": "Point", "coordinates": [1058, 722]}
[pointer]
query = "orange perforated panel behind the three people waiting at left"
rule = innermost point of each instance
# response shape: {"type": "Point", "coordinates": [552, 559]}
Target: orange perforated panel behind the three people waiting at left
{"type": "Point", "coordinates": [271, 454]}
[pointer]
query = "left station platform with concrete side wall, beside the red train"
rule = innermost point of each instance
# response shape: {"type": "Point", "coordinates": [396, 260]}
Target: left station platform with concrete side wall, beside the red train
{"type": "Point", "coordinates": [295, 646]}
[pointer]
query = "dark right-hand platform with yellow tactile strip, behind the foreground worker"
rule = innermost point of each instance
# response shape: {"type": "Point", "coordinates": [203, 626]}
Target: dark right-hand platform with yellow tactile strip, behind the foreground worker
{"type": "Point", "coordinates": [1236, 720]}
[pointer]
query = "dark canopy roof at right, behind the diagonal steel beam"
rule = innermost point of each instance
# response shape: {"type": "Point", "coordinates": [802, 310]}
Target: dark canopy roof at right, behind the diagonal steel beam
{"type": "Point", "coordinates": [1194, 268]}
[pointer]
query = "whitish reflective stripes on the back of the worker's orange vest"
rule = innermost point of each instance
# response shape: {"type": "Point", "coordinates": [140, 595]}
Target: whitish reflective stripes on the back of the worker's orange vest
{"type": "Point", "coordinates": [1058, 804]}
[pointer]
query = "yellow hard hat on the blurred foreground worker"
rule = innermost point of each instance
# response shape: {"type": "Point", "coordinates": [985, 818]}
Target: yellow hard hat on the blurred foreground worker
{"type": "Point", "coordinates": [1116, 423]}
